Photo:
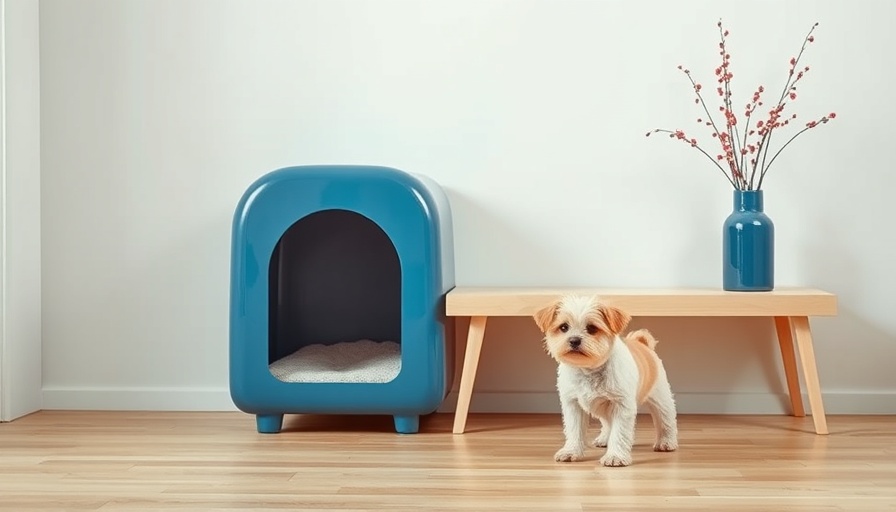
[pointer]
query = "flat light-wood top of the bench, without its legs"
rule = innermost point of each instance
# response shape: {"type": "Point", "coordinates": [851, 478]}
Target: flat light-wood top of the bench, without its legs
{"type": "Point", "coordinates": [525, 301]}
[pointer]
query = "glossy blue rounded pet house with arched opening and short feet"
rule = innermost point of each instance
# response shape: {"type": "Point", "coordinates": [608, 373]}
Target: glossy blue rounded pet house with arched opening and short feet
{"type": "Point", "coordinates": [340, 256]}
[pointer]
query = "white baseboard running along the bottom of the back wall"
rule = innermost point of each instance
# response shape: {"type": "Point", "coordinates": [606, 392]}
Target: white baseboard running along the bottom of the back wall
{"type": "Point", "coordinates": [218, 399]}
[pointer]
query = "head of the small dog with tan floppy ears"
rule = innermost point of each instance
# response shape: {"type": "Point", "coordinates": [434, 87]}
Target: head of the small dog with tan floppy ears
{"type": "Point", "coordinates": [580, 330]}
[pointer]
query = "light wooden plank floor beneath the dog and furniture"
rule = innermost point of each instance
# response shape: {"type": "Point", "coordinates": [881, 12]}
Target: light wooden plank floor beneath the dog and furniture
{"type": "Point", "coordinates": [216, 461]}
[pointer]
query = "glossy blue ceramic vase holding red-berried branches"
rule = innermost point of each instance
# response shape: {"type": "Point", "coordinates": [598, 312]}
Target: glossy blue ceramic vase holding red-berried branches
{"type": "Point", "coordinates": [748, 238]}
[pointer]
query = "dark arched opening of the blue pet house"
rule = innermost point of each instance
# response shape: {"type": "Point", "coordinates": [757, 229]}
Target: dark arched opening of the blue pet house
{"type": "Point", "coordinates": [335, 301]}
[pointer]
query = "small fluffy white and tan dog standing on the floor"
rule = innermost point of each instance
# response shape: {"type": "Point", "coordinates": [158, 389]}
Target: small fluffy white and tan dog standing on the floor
{"type": "Point", "coordinates": [604, 375]}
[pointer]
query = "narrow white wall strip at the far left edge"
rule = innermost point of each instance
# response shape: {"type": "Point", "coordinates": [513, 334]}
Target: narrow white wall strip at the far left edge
{"type": "Point", "coordinates": [20, 302]}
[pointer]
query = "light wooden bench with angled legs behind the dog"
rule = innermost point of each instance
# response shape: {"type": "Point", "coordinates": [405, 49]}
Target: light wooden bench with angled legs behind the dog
{"type": "Point", "coordinates": [789, 307]}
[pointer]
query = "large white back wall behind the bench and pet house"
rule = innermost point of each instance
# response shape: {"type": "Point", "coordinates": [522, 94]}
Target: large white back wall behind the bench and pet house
{"type": "Point", "coordinates": [157, 114]}
